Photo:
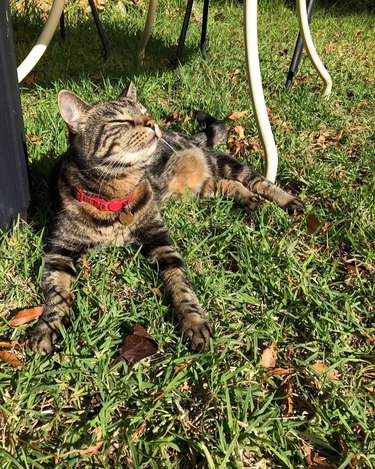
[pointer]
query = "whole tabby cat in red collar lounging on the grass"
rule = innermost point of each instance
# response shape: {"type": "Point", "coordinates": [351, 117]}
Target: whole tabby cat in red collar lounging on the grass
{"type": "Point", "coordinates": [118, 170]}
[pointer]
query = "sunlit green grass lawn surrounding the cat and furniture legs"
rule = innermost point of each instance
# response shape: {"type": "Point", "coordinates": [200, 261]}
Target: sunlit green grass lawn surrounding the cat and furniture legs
{"type": "Point", "coordinates": [260, 279]}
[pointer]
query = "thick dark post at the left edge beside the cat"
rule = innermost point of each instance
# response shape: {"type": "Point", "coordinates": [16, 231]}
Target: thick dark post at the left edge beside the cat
{"type": "Point", "coordinates": [14, 182]}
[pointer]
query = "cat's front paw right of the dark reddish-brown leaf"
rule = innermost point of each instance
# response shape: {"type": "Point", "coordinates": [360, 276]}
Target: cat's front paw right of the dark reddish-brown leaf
{"type": "Point", "coordinates": [196, 329]}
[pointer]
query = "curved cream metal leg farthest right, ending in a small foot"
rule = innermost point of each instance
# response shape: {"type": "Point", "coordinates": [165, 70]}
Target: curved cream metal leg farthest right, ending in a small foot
{"type": "Point", "coordinates": [310, 48]}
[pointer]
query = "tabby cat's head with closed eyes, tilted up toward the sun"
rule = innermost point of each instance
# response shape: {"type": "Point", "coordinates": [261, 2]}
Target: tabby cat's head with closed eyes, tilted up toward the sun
{"type": "Point", "coordinates": [115, 133]}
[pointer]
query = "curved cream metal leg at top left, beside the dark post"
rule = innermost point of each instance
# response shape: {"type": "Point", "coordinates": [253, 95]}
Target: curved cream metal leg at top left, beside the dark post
{"type": "Point", "coordinates": [44, 39]}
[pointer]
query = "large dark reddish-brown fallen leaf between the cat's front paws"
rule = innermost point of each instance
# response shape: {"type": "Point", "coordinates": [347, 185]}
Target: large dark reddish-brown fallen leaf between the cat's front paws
{"type": "Point", "coordinates": [137, 346]}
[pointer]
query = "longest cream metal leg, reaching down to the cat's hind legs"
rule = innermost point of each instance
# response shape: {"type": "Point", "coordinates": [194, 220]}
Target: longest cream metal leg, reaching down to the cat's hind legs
{"type": "Point", "coordinates": [256, 89]}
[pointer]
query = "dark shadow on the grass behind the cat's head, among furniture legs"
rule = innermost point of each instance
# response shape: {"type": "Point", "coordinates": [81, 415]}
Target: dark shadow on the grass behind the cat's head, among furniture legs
{"type": "Point", "coordinates": [80, 55]}
